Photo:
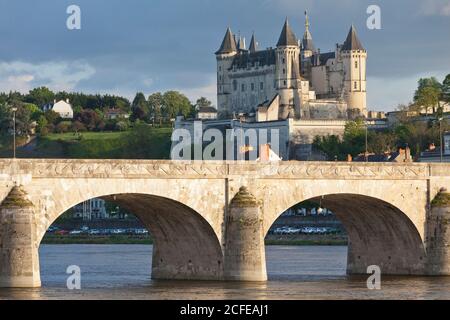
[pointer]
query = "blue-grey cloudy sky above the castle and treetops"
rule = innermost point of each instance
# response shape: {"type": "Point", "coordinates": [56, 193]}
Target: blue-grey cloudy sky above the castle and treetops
{"type": "Point", "coordinates": [157, 45]}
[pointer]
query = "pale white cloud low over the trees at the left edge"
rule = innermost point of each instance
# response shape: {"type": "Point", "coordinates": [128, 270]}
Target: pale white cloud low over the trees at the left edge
{"type": "Point", "coordinates": [58, 76]}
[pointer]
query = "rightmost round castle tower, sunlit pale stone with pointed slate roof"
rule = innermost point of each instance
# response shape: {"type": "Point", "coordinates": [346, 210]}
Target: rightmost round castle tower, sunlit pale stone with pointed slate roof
{"type": "Point", "coordinates": [354, 59]}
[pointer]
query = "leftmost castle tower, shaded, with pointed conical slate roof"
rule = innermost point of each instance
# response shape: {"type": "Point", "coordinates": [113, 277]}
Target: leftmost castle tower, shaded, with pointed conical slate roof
{"type": "Point", "coordinates": [225, 56]}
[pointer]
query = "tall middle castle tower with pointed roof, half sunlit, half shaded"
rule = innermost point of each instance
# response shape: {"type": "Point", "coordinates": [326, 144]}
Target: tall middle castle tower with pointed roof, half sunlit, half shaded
{"type": "Point", "coordinates": [287, 56]}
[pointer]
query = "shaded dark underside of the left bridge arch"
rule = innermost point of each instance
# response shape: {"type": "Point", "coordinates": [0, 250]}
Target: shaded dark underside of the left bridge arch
{"type": "Point", "coordinates": [185, 245]}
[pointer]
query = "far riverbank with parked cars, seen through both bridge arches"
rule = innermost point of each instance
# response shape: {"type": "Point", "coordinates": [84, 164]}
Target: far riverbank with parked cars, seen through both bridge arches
{"type": "Point", "coordinates": [271, 240]}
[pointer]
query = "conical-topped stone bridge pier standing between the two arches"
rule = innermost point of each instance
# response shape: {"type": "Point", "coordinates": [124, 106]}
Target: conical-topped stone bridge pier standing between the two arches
{"type": "Point", "coordinates": [245, 258]}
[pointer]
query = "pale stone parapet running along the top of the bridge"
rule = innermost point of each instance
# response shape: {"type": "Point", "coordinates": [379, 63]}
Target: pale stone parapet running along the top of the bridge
{"type": "Point", "coordinates": [59, 168]}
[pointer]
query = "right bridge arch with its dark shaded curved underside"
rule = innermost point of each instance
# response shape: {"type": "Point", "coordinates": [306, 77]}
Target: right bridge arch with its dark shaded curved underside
{"type": "Point", "coordinates": [379, 233]}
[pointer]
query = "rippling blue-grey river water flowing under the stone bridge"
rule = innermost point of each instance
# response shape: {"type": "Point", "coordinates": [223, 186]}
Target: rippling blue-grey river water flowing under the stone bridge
{"type": "Point", "coordinates": [295, 272]}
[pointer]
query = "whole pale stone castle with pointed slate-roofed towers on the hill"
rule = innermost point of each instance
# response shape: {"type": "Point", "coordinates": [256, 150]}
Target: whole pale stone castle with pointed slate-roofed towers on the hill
{"type": "Point", "coordinates": [292, 81]}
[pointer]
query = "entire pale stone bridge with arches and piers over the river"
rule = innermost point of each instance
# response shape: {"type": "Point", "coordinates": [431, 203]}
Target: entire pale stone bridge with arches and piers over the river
{"type": "Point", "coordinates": [209, 219]}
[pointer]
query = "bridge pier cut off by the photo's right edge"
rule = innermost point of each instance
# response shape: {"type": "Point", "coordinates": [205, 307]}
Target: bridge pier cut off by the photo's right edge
{"type": "Point", "coordinates": [438, 236]}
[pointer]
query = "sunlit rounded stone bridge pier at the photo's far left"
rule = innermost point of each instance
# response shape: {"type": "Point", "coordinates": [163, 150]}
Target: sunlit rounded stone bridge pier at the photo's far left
{"type": "Point", "coordinates": [19, 258]}
